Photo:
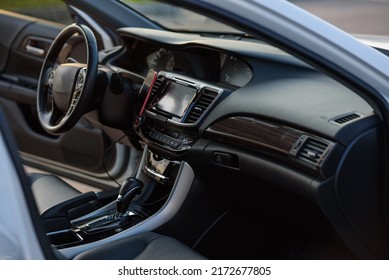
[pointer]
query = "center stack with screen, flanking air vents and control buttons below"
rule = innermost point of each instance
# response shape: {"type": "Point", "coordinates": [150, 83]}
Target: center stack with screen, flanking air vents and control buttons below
{"type": "Point", "coordinates": [170, 108]}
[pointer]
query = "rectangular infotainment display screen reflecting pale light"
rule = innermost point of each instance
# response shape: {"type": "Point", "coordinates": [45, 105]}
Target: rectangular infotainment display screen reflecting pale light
{"type": "Point", "coordinates": [176, 99]}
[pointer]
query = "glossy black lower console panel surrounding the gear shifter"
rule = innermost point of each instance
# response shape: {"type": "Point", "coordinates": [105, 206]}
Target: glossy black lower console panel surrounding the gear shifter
{"type": "Point", "coordinates": [125, 212]}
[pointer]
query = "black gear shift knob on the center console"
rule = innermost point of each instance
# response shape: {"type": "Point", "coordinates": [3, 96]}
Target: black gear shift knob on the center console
{"type": "Point", "coordinates": [128, 190]}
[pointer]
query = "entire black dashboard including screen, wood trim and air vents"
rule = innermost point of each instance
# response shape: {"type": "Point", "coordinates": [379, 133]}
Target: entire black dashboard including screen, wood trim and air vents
{"type": "Point", "coordinates": [241, 93]}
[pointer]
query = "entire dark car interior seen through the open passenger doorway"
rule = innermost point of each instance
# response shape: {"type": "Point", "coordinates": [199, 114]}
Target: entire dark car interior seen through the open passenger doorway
{"type": "Point", "coordinates": [202, 146]}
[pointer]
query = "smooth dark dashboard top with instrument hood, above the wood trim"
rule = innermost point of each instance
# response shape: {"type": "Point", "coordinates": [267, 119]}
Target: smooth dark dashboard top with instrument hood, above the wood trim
{"type": "Point", "coordinates": [262, 81]}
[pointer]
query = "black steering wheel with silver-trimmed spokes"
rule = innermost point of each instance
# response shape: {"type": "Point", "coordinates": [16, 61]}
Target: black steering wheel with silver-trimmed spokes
{"type": "Point", "coordinates": [65, 91]}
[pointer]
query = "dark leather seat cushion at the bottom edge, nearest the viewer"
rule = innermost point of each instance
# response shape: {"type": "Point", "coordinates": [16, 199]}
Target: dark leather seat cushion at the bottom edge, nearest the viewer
{"type": "Point", "coordinates": [145, 246]}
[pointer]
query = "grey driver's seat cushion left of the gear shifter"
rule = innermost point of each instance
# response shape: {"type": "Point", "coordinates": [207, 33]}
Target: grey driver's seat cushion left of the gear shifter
{"type": "Point", "coordinates": [49, 190]}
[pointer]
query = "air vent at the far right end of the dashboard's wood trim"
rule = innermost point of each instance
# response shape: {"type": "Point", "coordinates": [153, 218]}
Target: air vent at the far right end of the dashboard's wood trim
{"type": "Point", "coordinates": [312, 150]}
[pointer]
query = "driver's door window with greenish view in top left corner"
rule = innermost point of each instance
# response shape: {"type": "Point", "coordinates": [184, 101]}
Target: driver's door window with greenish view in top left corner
{"type": "Point", "coordinates": [52, 10]}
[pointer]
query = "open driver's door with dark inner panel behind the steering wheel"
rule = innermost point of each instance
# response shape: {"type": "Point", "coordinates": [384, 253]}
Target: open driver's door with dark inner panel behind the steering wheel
{"type": "Point", "coordinates": [85, 153]}
